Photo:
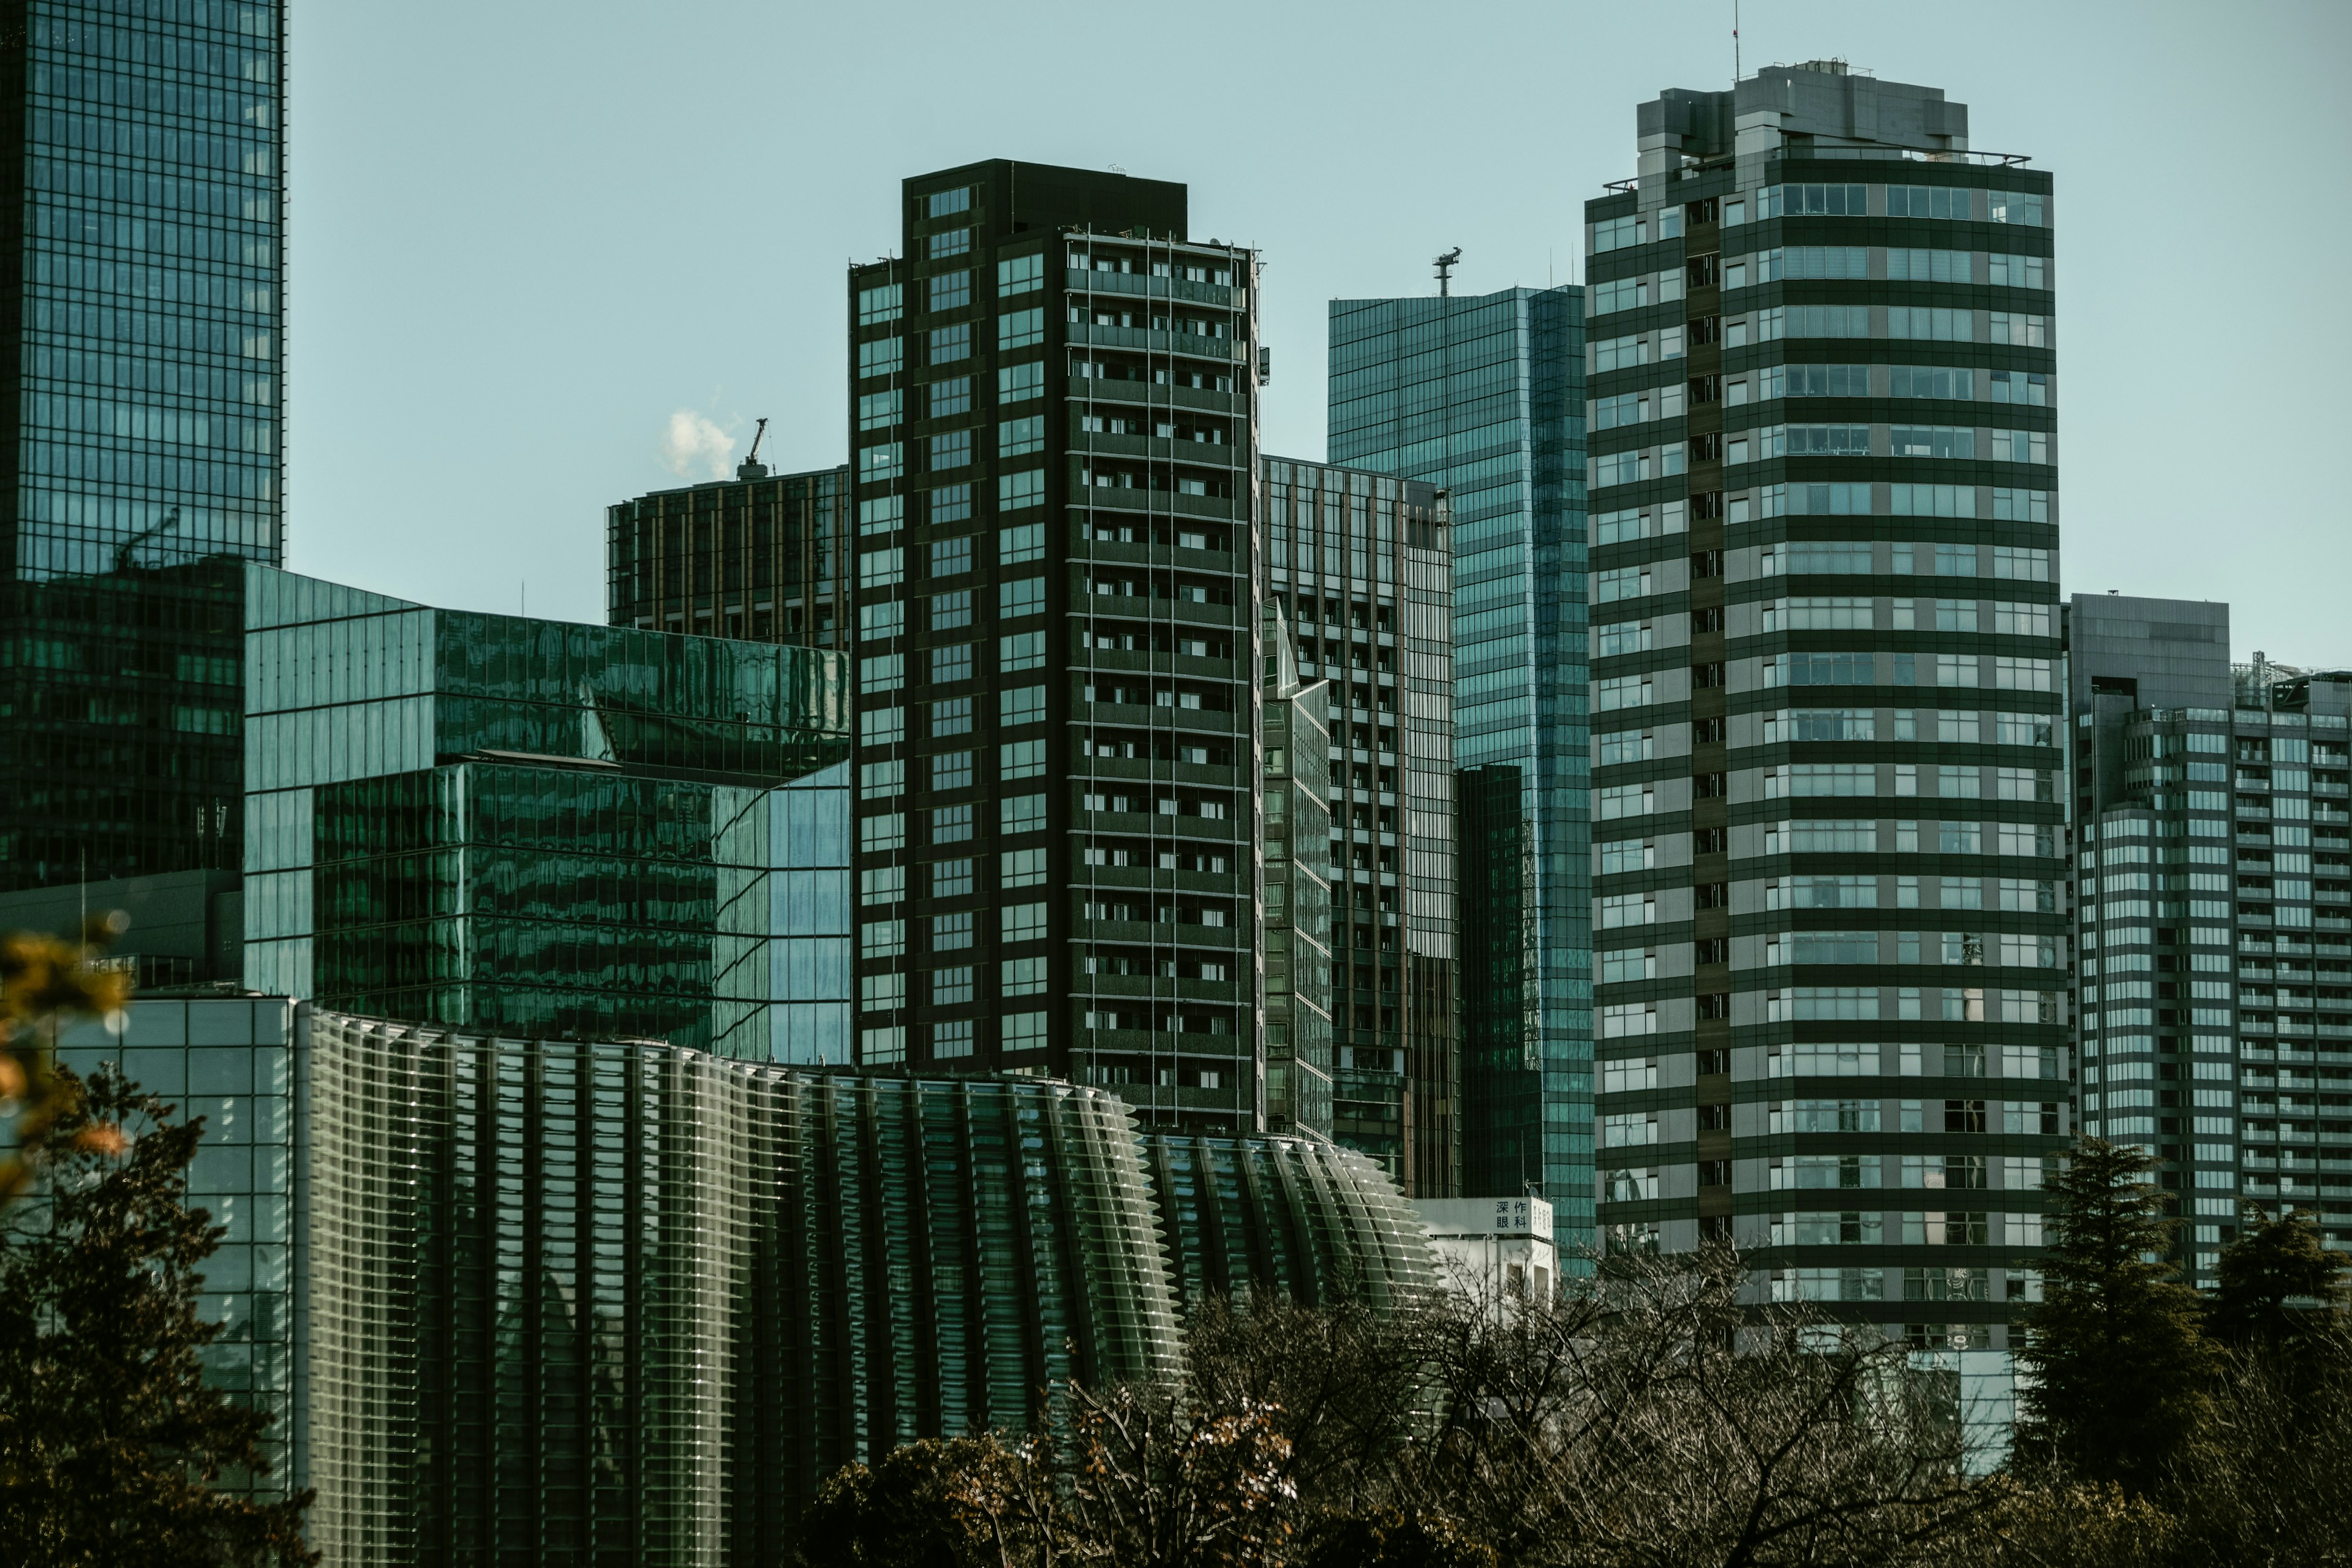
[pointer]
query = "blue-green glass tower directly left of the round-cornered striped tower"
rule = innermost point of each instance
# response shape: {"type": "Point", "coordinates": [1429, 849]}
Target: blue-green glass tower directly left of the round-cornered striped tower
{"type": "Point", "coordinates": [1483, 398]}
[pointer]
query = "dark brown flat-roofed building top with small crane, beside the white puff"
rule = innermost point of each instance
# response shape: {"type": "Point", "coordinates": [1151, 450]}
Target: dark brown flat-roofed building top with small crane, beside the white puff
{"type": "Point", "coordinates": [759, 556]}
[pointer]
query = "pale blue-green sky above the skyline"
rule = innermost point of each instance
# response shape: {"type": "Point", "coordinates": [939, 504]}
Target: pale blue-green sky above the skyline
{"type": "Point", "coordinates": [547, 257]}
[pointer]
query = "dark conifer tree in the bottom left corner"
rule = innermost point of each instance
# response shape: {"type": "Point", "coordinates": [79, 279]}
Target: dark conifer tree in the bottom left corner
{"type": "Point", "coordinates": [112, 1445]}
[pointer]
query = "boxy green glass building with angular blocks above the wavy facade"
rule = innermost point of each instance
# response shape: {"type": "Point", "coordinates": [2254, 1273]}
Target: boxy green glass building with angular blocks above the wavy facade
{"type": "Point", "coordinates": [505, 824]}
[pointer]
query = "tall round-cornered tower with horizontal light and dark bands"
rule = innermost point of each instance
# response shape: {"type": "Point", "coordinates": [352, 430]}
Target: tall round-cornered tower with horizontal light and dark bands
{"type": "Point", "coordinates": [1826, 709]}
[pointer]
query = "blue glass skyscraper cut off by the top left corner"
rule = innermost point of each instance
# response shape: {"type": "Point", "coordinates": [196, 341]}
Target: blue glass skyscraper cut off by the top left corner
{"type": "Point", "coordinates": [142, 262]}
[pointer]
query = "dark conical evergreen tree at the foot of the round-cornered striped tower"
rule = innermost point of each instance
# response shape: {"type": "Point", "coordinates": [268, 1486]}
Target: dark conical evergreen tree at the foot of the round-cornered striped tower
{"type": "Point", "coordinates": [2116, 1358]}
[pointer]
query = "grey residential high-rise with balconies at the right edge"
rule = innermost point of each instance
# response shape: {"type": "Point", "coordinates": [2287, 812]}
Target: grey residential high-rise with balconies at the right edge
{"type": "Point", "coordinates": [2214, 913]}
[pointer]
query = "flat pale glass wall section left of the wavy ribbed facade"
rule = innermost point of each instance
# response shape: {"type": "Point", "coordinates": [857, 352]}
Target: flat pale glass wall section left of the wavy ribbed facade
{"type": "Point", "coordinates": [229, 1061]}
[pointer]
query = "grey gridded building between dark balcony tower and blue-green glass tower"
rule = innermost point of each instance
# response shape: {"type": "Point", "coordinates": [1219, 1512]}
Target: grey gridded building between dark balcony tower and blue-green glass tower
{"type": "Point", "coordinates": [1361, 570]}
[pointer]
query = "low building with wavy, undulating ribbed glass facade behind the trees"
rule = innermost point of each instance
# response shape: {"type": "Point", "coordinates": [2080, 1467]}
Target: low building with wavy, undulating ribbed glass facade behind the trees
{"type": "Point", "coordinates": [624, 1301]}
